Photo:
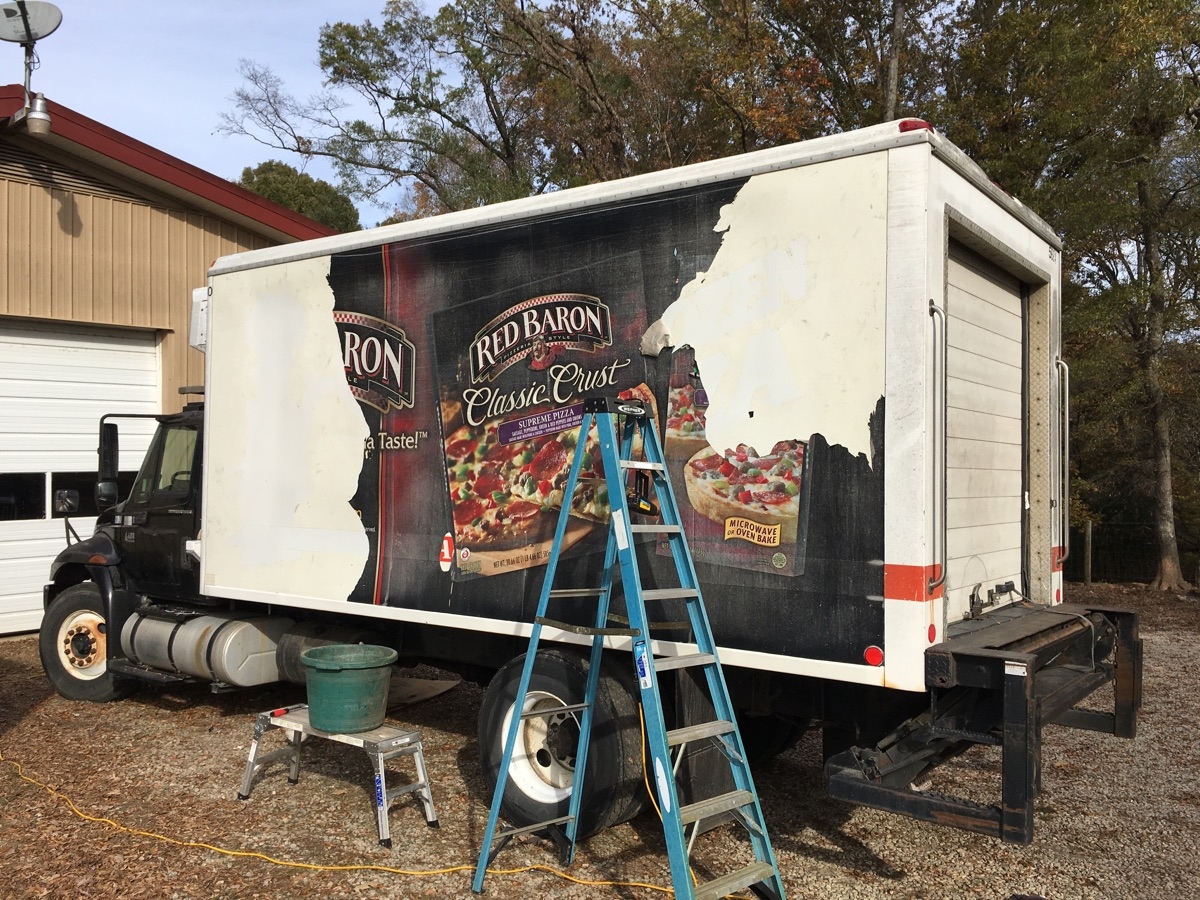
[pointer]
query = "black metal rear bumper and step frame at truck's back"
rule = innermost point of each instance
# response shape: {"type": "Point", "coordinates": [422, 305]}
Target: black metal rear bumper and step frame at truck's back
{"type": "Point", "coordinates": [999, 680]}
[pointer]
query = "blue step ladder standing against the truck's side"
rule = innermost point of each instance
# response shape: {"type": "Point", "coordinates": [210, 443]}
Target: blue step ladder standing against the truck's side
{"type": "Point", "coordinates": [667, 747]}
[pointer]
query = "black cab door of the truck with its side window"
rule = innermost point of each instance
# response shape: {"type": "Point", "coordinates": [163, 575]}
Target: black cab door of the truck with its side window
{"type": "Point", "coordinates": [160, 517]}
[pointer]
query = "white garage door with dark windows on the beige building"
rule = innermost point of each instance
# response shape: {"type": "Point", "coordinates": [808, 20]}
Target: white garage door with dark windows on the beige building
{"type": "Point", "coordinates": [56, 382]}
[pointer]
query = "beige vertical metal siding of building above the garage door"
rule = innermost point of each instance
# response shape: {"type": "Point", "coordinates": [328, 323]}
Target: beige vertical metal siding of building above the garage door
{"type": "Point", "coordinates": [88, 254]}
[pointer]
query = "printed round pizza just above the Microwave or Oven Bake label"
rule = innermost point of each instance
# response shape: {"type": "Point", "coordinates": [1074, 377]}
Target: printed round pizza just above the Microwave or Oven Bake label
{"type": "Point", "coordinates": [743, 485]}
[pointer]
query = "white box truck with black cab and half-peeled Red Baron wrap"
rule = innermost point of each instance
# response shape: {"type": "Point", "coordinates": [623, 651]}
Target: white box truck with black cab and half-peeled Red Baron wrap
{"type": "Point", "coordinates": [853, 349]}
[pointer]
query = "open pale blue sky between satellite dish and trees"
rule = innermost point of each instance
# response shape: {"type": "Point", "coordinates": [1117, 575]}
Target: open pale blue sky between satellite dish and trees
{"type": "Point", "coordinates": [163, 71]}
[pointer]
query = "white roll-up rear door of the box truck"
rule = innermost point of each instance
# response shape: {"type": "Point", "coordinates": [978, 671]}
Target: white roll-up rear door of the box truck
{"type": "Point", "coordinates": [986, 447]}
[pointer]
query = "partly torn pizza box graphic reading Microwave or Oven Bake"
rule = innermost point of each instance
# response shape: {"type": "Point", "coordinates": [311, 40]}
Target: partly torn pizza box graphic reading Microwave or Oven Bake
{"type": "Point", "coordinates": [740, 507]}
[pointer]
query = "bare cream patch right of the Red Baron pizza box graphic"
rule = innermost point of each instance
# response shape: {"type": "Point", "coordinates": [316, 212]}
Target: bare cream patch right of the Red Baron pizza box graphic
{"type": "Point", "coordinates": [788, 322]}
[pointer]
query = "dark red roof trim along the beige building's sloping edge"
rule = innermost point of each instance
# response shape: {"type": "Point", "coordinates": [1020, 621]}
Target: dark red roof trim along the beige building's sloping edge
{"type": "Point", "coordinates": [75, 128]}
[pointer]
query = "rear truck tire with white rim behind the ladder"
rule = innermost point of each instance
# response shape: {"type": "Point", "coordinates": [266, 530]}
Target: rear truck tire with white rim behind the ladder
{"type": "Point", "coordinates": [539, 784]}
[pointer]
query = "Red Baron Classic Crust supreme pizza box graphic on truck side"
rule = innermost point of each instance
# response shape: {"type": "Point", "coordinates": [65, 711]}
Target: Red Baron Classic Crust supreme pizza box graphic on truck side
{"type": "Point", "coordinates": [514, 370]}
